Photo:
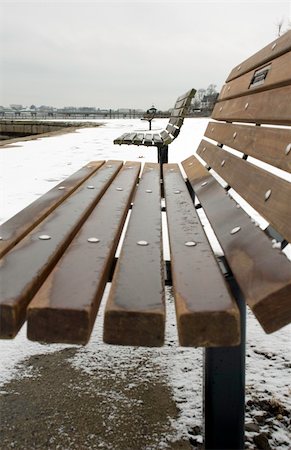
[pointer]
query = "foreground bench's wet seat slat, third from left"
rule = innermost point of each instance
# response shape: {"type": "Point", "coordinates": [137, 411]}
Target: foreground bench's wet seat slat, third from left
{"type": "Point", "coordinates": [65, 307]}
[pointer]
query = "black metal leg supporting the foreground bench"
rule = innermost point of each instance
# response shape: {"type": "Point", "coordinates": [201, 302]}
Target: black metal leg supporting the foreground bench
{"type": "Point", "coordinates": [224, 391]}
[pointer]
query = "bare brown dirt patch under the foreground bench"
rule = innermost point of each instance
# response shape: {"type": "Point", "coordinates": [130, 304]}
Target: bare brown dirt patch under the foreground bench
{"type": "Point", "coordinates": [61, 407]}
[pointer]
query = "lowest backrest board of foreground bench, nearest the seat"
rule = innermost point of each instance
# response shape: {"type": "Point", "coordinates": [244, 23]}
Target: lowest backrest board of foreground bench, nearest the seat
{"type": "Point", "coordinates": [263, 273]}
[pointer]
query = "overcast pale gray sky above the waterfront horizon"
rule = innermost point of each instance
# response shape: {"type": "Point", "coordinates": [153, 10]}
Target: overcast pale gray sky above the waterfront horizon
{"type": "Point", "coordinates": [126, 54]}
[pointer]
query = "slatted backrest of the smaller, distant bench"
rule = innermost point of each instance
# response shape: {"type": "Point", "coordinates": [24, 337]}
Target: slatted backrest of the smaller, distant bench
{"type": "Point", "coordinates": [177, 116]}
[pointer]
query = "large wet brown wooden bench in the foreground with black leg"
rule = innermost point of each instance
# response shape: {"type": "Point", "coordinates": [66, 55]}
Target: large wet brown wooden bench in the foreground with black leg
{"type": "Point", "coordinates": [59, 253]}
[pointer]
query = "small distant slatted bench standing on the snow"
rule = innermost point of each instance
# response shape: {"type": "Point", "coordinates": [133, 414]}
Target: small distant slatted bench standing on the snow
{"type": "Point", "coordinates": [162, 139]}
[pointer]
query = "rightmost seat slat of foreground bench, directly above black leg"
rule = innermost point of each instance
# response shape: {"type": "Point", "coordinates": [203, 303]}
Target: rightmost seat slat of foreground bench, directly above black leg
{"type": "Point", "coordinates": [207, 315]}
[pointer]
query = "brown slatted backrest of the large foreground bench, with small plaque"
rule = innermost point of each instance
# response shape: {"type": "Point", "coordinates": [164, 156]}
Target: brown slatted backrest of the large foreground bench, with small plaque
{"type": "Point", "coordinates": [249, 147]}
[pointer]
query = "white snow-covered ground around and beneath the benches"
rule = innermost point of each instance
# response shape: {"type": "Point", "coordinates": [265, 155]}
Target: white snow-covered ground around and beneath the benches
{"type": "Point", "coordinates": [34, 167]}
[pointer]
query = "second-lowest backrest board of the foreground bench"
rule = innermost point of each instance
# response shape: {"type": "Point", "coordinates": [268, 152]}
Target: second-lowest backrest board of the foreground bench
{"type": "Point", "coordinates": [267, 193]}
